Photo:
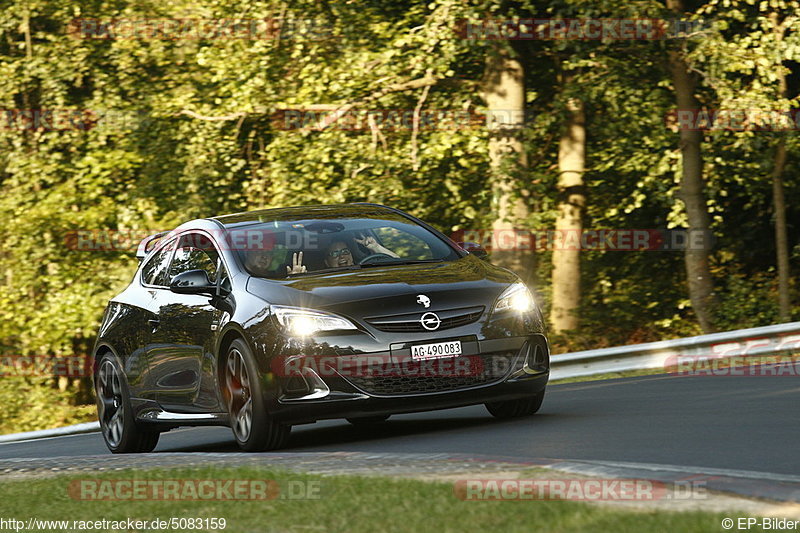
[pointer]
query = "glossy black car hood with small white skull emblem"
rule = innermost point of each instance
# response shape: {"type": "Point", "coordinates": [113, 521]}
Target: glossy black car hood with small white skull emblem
{"type": "Point", "coordinates": [388, 290]}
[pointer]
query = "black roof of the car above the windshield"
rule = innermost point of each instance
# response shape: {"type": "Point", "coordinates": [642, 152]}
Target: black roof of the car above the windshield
{"type": "Point", "coordinates": [304, 213]}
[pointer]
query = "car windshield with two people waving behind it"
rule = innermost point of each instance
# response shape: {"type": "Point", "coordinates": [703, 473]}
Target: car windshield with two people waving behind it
{"type": "Point", "coordinates": [282, 248]}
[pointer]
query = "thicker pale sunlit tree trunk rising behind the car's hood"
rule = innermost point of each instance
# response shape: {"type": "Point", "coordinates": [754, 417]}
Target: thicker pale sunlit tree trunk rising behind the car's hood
{"type": "Point", "coordinates": [504, 93]}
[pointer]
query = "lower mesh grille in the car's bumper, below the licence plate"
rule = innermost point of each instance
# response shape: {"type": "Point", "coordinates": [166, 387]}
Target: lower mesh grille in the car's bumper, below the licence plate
{"type": "Point", "coordinates": [406, 378]}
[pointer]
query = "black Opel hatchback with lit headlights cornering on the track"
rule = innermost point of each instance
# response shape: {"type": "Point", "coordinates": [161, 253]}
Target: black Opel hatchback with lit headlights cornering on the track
{"type": "Point", "coordinates": [271, 318]}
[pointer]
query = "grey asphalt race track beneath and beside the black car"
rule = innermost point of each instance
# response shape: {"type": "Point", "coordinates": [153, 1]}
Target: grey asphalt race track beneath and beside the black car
{"type": "Point", "coordinates": [739, 423]}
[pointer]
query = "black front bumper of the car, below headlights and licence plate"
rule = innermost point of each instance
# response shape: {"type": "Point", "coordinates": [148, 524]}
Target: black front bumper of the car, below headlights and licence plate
{"type": "Point", "coordinates": [490, 370]}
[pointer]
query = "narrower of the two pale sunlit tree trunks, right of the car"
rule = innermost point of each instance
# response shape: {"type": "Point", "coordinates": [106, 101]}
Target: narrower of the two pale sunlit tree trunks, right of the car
{"type": "Point", "coordinates": [566, 262]}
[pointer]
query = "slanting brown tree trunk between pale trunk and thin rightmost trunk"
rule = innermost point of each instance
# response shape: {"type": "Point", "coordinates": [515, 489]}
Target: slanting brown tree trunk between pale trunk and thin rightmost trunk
{"type": "Point", "coordinates": [698, 273]}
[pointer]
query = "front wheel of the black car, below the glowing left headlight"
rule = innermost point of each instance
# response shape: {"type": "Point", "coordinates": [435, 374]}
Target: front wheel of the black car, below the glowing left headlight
{"type": "Point", "coordinates": [252, 426]}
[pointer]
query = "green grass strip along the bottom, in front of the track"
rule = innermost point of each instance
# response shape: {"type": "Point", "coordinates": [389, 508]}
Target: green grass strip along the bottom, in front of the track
{"type": "Point", "coordinates": [346, 503]}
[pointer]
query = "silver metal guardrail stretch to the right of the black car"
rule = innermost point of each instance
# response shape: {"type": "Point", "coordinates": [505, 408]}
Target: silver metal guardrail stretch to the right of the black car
{"type": "Point", "coordinates": [767, 340]}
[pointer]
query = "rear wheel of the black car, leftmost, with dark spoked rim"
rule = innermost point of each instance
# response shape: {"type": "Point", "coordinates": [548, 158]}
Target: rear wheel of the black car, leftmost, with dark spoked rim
{"type": "Point", "coordinates": [120, 431]}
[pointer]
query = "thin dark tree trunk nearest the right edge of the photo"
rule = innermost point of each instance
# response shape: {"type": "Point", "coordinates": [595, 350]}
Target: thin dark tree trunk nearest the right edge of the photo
{"type": "Point", "coordinates": [778, 201]}
